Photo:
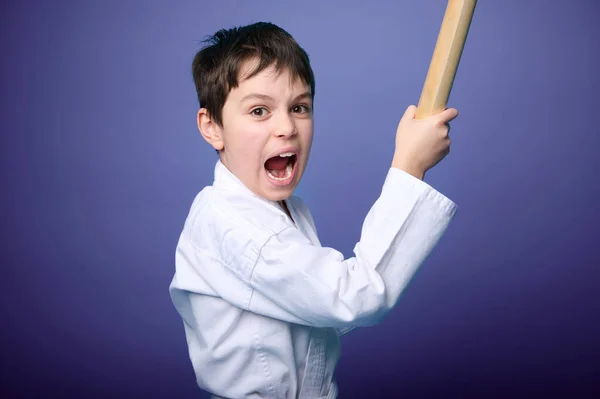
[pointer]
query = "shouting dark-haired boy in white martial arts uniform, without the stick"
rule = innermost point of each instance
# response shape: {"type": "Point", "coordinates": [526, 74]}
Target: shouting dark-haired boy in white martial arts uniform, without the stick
{"type": "Point", "coordinates": [263, 304]}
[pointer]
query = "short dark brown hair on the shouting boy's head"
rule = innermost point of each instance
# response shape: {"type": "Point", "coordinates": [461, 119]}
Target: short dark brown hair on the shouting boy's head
{"type": "Point", "coordinates": [216, 67]}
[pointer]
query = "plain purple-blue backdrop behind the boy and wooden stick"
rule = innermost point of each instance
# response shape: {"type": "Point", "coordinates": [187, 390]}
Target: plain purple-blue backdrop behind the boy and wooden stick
{"type": "Point", "coordinates": [100, 160]}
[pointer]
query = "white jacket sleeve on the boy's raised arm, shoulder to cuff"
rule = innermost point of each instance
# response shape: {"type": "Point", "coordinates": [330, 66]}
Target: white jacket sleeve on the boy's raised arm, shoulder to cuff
{"type": "Point", "coordinates": [291, 279]}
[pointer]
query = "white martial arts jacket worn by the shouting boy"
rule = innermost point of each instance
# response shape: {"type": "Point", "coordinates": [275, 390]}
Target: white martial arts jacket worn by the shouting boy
{"type": "Point", "coordinates": [263, 303]}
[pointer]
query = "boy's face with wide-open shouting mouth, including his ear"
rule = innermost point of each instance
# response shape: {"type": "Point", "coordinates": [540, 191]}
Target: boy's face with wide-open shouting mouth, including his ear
{"type": "Point", "coordinates": [267, 132]}
